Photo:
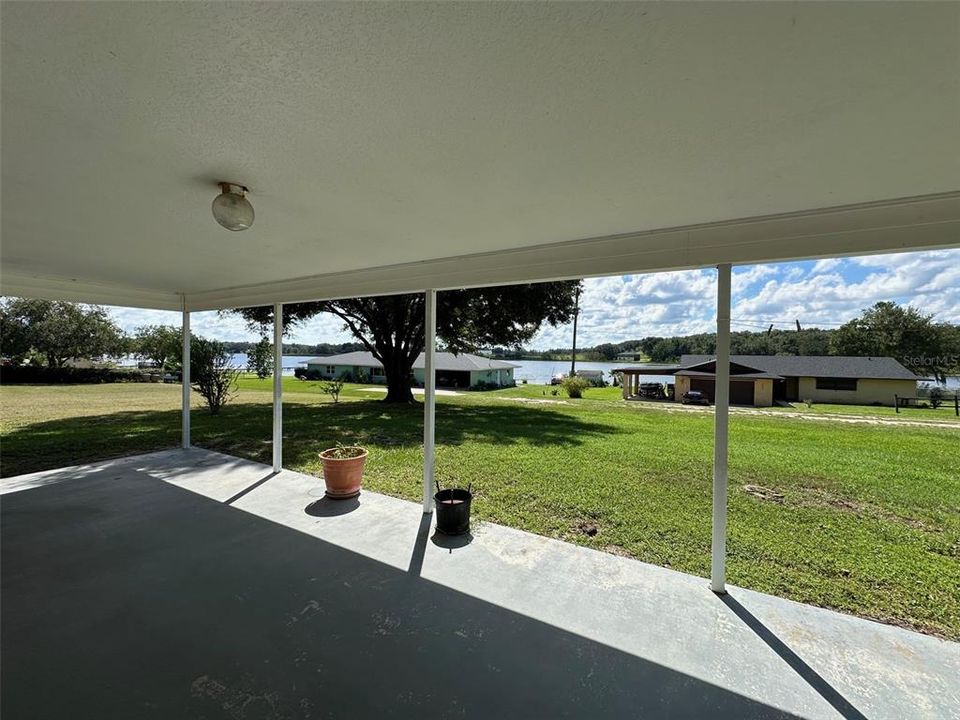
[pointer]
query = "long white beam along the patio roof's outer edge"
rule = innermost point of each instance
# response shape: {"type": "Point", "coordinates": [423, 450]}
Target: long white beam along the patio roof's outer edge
{"type": "Point", "coordinates": [930, 222]}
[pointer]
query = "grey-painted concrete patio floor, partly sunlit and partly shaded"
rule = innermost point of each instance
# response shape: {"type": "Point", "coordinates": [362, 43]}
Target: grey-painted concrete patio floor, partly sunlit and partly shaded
{"type": "Point", "coordinates": [188, 584]}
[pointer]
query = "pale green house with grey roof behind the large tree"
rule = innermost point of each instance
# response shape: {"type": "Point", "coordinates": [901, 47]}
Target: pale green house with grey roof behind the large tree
{"type": "Point", "coordinates": [453, 371]}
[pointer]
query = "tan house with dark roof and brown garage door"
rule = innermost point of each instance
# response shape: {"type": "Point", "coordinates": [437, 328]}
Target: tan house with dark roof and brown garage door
{"type": "Point", "coordinates": [761, 380]}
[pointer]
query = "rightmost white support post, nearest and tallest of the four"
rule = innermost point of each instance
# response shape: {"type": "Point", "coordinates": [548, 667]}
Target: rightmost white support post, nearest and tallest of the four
{"type": "Point", "coordinates": [721, 432]}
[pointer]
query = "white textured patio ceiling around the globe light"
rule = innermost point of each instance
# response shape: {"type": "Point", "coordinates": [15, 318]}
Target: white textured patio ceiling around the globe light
{"type": "Point", "coordinates": [379, 134]}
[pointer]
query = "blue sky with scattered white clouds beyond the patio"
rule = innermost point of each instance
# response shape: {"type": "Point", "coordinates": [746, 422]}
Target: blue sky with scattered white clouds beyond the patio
{"type": "Point", "coordinates": [823, 293]}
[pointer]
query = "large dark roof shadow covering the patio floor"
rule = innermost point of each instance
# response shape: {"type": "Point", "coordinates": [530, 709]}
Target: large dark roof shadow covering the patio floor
{"type": "Point", "coordinates": [134, 598]}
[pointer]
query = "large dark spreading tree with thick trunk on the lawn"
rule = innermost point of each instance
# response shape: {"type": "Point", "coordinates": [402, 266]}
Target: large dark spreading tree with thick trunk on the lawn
{"type": "Point", "coordinates": [392, 327]}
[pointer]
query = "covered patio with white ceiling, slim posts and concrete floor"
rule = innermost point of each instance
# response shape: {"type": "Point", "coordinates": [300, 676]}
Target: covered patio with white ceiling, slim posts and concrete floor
{"type": "Point", "coordinates": [415, 148]}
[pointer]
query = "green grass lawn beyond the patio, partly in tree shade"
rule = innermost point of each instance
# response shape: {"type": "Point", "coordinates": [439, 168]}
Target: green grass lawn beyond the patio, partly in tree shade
{"type": "Point", "coordinates": [857, 517]}
